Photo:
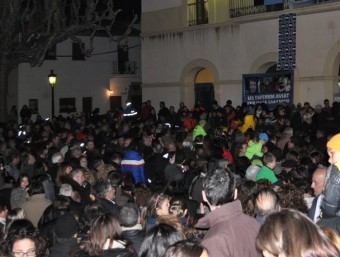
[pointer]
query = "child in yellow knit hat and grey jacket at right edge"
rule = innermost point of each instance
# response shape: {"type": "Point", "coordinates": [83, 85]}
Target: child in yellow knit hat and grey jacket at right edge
{"type": "Point", "coordinates": [331, 201]}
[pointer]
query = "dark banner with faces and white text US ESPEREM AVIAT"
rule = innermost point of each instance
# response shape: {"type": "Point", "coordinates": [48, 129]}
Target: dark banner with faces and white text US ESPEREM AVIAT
{"type": "Point", "coordinates": [268, 88]}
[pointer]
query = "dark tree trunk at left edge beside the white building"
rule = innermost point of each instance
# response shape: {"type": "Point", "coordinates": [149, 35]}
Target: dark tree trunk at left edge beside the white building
{"type": "Point", "coordinates": [4, 70]}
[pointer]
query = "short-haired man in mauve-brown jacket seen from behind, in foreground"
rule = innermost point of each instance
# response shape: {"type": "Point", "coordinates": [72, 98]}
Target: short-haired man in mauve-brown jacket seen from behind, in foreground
{"type": "Point", "coordinates": [230, 231]}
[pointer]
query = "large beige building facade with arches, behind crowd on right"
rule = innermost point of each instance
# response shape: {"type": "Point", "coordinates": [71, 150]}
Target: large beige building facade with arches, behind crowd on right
{"type": "Point", "coordinates": [187, 45]}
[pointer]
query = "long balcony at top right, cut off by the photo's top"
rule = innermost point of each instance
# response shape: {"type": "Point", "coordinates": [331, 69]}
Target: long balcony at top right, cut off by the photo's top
{"type": "Point", "coordinates": [240, 8]}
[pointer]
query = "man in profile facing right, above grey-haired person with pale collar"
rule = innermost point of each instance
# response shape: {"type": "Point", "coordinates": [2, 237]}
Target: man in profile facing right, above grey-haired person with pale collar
{"type": "Point", "coordinates": [105, 196]}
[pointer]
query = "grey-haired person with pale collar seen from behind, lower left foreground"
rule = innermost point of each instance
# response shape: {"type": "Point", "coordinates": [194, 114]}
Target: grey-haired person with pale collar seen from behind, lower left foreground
{"type": "Point", "coordinates": [131, 227]}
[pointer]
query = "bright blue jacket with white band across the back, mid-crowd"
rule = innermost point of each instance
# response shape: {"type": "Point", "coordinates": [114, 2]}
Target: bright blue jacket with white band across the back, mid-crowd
{"type": "Point", "coordinates": [133, 162]}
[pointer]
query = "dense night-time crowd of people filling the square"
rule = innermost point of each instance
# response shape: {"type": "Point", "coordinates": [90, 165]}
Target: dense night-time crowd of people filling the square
{"type": "Point", "coordinates": [218, 181]}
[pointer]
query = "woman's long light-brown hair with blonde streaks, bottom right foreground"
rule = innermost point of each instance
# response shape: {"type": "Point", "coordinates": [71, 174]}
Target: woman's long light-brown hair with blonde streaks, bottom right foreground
{"type": "Point", "coordinates": [289, 233]}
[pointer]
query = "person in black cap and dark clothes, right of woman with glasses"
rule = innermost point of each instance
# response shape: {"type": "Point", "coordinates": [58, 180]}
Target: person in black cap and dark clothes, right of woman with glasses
{"type": "Point", "coordinates": [66, 229]}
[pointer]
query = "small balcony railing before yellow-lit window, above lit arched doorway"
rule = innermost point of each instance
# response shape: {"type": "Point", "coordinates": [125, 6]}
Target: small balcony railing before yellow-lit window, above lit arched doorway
{"type": "Point", "coordinates": [198, 13]}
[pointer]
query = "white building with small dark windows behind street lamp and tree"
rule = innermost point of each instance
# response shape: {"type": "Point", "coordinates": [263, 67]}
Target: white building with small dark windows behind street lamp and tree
{"type": "Point", "coordinates": [104, 80]}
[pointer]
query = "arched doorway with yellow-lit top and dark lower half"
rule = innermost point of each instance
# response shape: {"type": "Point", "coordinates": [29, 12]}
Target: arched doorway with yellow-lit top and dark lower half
{"type": "Point", "coordinates": [204, 88]}
